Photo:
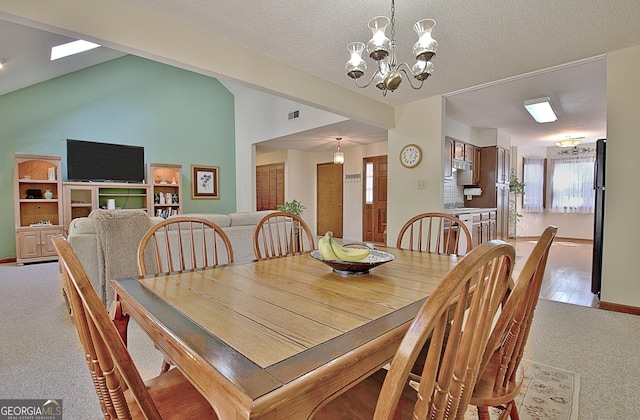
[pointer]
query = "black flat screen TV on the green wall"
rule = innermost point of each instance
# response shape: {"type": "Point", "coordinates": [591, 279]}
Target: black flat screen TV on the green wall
{"type": "Point", "coordinates": [104, 162]}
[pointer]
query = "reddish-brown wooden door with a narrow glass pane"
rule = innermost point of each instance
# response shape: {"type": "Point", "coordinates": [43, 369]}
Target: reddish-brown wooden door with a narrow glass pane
{"type": "Point", "coordinates": [374, 206]}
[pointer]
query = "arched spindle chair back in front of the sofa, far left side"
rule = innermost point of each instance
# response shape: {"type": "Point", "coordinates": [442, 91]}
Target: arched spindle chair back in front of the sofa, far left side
{"type": "Point", "coordinates": [183, 243]}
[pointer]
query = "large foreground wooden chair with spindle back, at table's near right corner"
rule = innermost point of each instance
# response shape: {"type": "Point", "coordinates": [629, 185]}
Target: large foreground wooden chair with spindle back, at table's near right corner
{"type": "Point", "coordinates": [453, 359]}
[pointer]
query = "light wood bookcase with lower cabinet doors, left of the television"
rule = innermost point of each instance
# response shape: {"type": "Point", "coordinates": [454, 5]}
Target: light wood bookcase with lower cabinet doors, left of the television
{"type": "Point", "coordinates": [37, 206]}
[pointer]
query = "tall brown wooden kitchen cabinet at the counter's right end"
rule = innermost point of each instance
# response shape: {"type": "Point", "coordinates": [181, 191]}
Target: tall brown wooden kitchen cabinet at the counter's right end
{"type": "Point", "coordinates": [494, 181]}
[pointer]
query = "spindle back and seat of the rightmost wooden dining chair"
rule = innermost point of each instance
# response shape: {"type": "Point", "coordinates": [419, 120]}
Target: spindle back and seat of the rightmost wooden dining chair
{"type": "Point", "coordinates": [506, 345]}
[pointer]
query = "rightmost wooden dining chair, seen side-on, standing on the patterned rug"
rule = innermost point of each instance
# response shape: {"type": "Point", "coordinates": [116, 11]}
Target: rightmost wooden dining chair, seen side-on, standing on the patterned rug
{"type": "Point", "coordinates": [501, 372]}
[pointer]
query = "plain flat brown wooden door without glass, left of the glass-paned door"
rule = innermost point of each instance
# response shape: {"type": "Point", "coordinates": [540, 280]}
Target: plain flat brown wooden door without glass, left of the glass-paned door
{"type": "Point", "coordinates": [330, 188]}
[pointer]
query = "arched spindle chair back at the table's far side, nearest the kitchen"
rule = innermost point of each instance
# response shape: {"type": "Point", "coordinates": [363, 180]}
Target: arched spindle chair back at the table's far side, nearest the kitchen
{"type": "Point", "coordinates": [434, 232]}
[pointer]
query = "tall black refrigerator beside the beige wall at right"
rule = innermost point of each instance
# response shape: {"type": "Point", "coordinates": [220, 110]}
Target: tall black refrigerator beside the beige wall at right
{"type": "Point", "coordinates": [598, 222]}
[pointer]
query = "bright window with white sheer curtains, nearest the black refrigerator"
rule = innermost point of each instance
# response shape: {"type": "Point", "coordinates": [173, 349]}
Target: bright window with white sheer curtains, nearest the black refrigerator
{"type": "Point", "coordinates": [572, 184]}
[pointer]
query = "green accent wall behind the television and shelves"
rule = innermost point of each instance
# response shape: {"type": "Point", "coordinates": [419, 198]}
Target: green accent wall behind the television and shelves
{"type": "Point", "coordinates": [178, 116]}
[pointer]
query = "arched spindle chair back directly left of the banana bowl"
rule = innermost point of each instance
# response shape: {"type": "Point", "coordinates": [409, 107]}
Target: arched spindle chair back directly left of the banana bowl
{"type": "Point", "coordinates": [279, 234]}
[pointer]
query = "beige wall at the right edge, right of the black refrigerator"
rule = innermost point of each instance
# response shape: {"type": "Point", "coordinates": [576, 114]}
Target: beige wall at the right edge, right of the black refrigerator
{"type": "Point", "coordinates": [620, 278]}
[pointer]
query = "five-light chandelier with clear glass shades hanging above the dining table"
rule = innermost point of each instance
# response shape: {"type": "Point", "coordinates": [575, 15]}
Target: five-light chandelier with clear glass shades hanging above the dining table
{"type": "Point", "coordinates": [387, 76]}
